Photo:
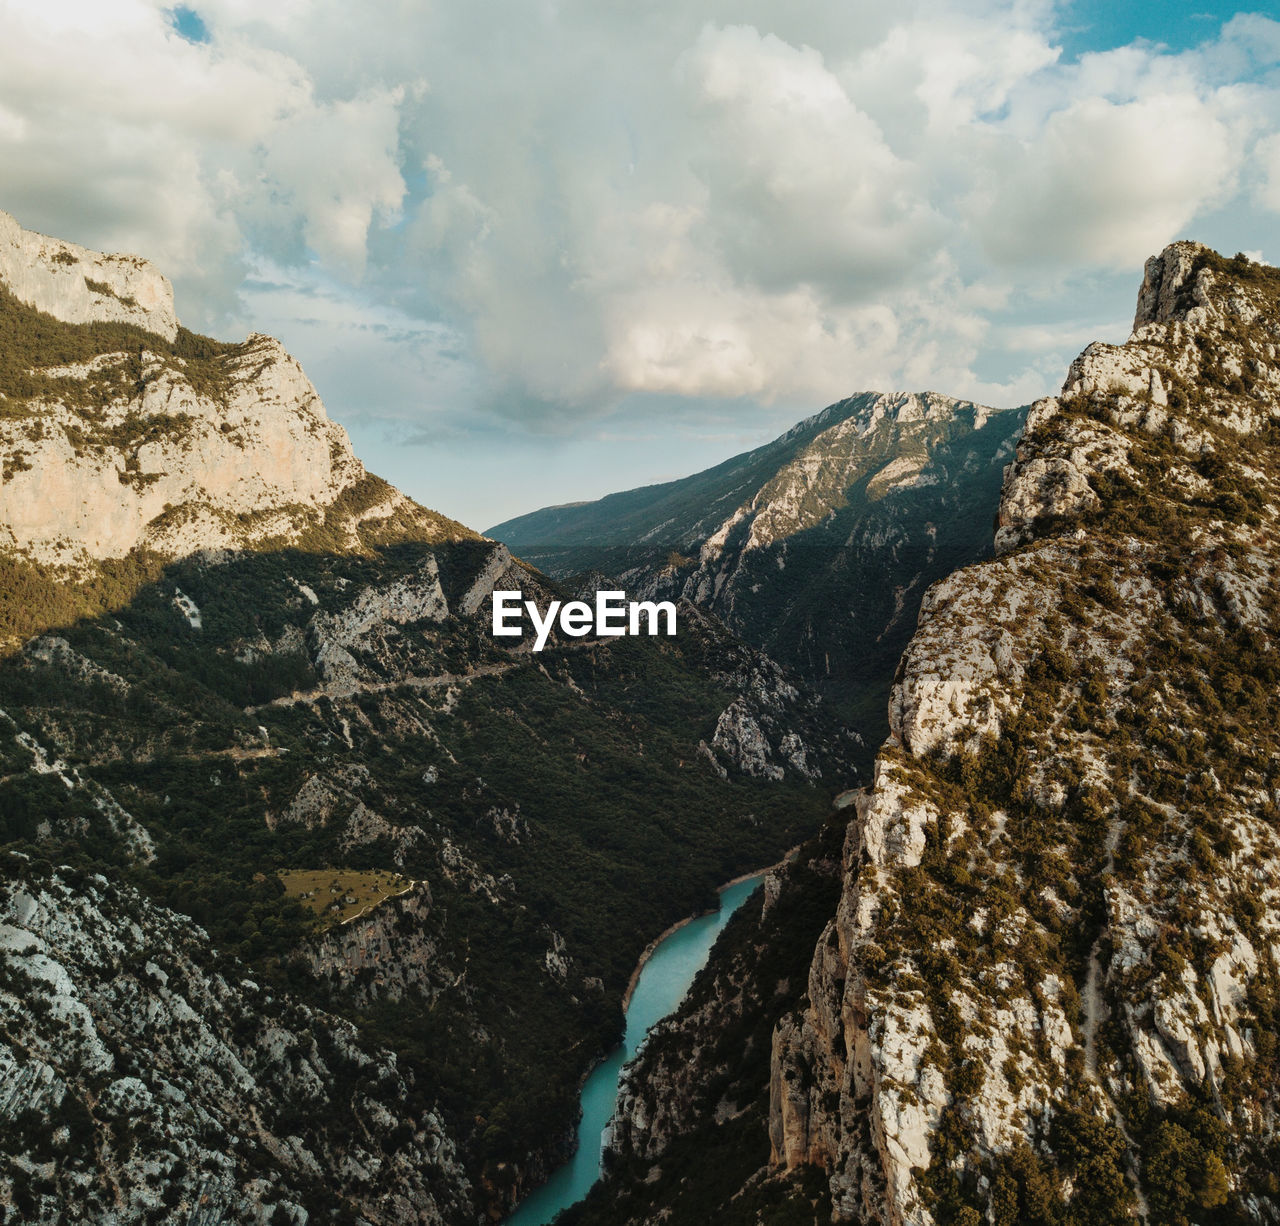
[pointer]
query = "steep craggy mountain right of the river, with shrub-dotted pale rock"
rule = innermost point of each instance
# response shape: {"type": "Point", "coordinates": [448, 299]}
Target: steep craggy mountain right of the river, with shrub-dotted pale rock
{"type": "Point", "coordinates": [1046, 992]}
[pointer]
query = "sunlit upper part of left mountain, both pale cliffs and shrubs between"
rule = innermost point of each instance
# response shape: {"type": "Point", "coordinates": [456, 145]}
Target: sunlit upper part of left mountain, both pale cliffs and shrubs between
{"type": "Point", "coordinates": [145, 443]}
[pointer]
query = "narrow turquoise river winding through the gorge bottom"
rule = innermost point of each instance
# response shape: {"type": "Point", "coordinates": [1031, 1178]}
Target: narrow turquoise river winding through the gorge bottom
{"type": "Point", "coordinates": [664, 982]}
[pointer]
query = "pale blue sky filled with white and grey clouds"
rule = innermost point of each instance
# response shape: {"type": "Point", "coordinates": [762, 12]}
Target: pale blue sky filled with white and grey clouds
{"type": "Point", "coordinates": [534, 251]}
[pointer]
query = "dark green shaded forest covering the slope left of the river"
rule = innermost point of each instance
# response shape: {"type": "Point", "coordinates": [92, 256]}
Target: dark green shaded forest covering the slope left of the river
{"type": "Point", "coordinates": [541, 776]}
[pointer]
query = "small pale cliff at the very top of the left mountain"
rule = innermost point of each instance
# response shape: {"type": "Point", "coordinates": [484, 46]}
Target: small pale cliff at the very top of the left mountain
{"type": "Point", "coordinates": [80, 287]}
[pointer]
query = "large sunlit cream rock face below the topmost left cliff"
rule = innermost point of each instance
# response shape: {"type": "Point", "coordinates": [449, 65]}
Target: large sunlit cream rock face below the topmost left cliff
{"type": "Point", "coordinates": [205, 475]}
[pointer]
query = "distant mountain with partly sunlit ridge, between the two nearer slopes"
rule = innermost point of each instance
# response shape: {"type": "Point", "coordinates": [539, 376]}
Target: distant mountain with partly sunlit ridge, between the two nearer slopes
{"type": "Point", "coordinates": [817, 547]}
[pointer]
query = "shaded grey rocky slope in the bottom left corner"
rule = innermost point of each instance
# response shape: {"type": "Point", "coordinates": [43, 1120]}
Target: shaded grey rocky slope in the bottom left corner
{"type": "Point", "coordinates": [139, 1081]}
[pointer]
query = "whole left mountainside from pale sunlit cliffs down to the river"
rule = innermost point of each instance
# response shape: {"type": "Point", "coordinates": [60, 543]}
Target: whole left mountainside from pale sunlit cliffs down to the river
{"type": "Point", "coordinates": [318, 899]}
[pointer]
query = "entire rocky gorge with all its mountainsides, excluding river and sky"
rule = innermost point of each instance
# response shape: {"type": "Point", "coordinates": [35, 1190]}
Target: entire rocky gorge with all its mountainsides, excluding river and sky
{"type": "Point", "coordinates": [319, 900]}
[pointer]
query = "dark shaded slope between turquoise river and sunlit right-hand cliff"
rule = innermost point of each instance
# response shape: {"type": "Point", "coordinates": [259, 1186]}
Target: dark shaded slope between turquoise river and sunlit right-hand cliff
{"type": "Point", "coordinates": [700, 1083]}
